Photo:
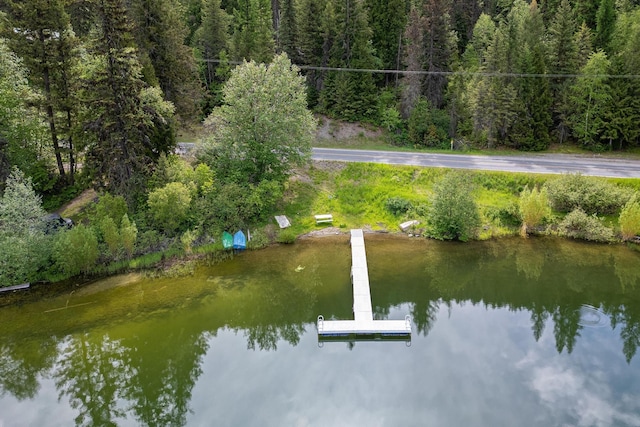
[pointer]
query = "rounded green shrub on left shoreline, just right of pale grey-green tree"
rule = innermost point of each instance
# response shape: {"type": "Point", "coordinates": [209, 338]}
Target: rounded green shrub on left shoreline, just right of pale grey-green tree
{"type": "Point", "coordinates": [76, 251]}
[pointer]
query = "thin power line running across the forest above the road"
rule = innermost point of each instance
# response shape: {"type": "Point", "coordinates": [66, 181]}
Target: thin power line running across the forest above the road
{"type": "Point", "coordinates": [446, 73]}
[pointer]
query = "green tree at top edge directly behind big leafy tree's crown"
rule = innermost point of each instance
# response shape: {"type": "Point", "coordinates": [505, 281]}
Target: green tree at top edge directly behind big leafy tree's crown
{"type": "Point", "coordinates": [253, 32]}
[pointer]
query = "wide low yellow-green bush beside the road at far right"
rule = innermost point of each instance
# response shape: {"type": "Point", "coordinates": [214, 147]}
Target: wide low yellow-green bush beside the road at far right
{"type": "Point", "coordinates": [592, 195]}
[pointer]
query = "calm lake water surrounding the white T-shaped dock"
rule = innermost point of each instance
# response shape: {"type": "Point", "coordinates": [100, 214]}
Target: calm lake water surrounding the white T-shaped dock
{"type": "Point", "coordinates": [537, 332]}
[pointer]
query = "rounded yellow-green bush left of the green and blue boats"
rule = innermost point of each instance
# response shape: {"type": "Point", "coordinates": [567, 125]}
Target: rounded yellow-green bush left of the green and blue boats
{"type": "Point", "coordinates": [169, 205]}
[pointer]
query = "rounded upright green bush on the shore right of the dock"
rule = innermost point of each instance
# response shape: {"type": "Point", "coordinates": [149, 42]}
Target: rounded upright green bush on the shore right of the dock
{"type": "Point", "coordinates": [453, 213]}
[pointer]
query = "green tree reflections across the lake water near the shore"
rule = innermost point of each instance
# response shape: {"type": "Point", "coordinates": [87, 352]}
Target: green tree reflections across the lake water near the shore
{"type": "Point", "coordinates": [146, 368]}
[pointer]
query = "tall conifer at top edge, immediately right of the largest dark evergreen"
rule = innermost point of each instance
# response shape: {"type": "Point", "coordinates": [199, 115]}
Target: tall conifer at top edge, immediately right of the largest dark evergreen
{"type": "Point", "coordinates": [160, 33]}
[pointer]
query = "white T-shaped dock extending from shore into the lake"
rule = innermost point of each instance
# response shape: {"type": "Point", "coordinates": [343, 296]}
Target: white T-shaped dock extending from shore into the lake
{"type": "Point", "coordinates": [363, 322]}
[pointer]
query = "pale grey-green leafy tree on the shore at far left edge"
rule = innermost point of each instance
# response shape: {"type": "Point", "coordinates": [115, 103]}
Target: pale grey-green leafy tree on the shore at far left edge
{"type": "Point", "coordinates": [23, 245]}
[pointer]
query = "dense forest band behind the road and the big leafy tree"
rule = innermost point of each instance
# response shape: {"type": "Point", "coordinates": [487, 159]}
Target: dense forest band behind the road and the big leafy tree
{"type": "Point", "coordinates": [107, 82]}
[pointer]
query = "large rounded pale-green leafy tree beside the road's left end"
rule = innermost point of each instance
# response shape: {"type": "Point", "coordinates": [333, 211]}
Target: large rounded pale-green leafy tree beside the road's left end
{"type": "Point", "coordinates": [264, 129]}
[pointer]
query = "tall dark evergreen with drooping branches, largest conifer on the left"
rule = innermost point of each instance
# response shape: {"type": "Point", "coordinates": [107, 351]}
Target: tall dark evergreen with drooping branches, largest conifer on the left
{"type": "Point", "coordinates": [126, 120]}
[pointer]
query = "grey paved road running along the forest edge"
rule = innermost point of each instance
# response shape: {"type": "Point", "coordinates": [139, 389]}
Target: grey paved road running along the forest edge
{"type": "Point", "coordinates": [537, 163]}
